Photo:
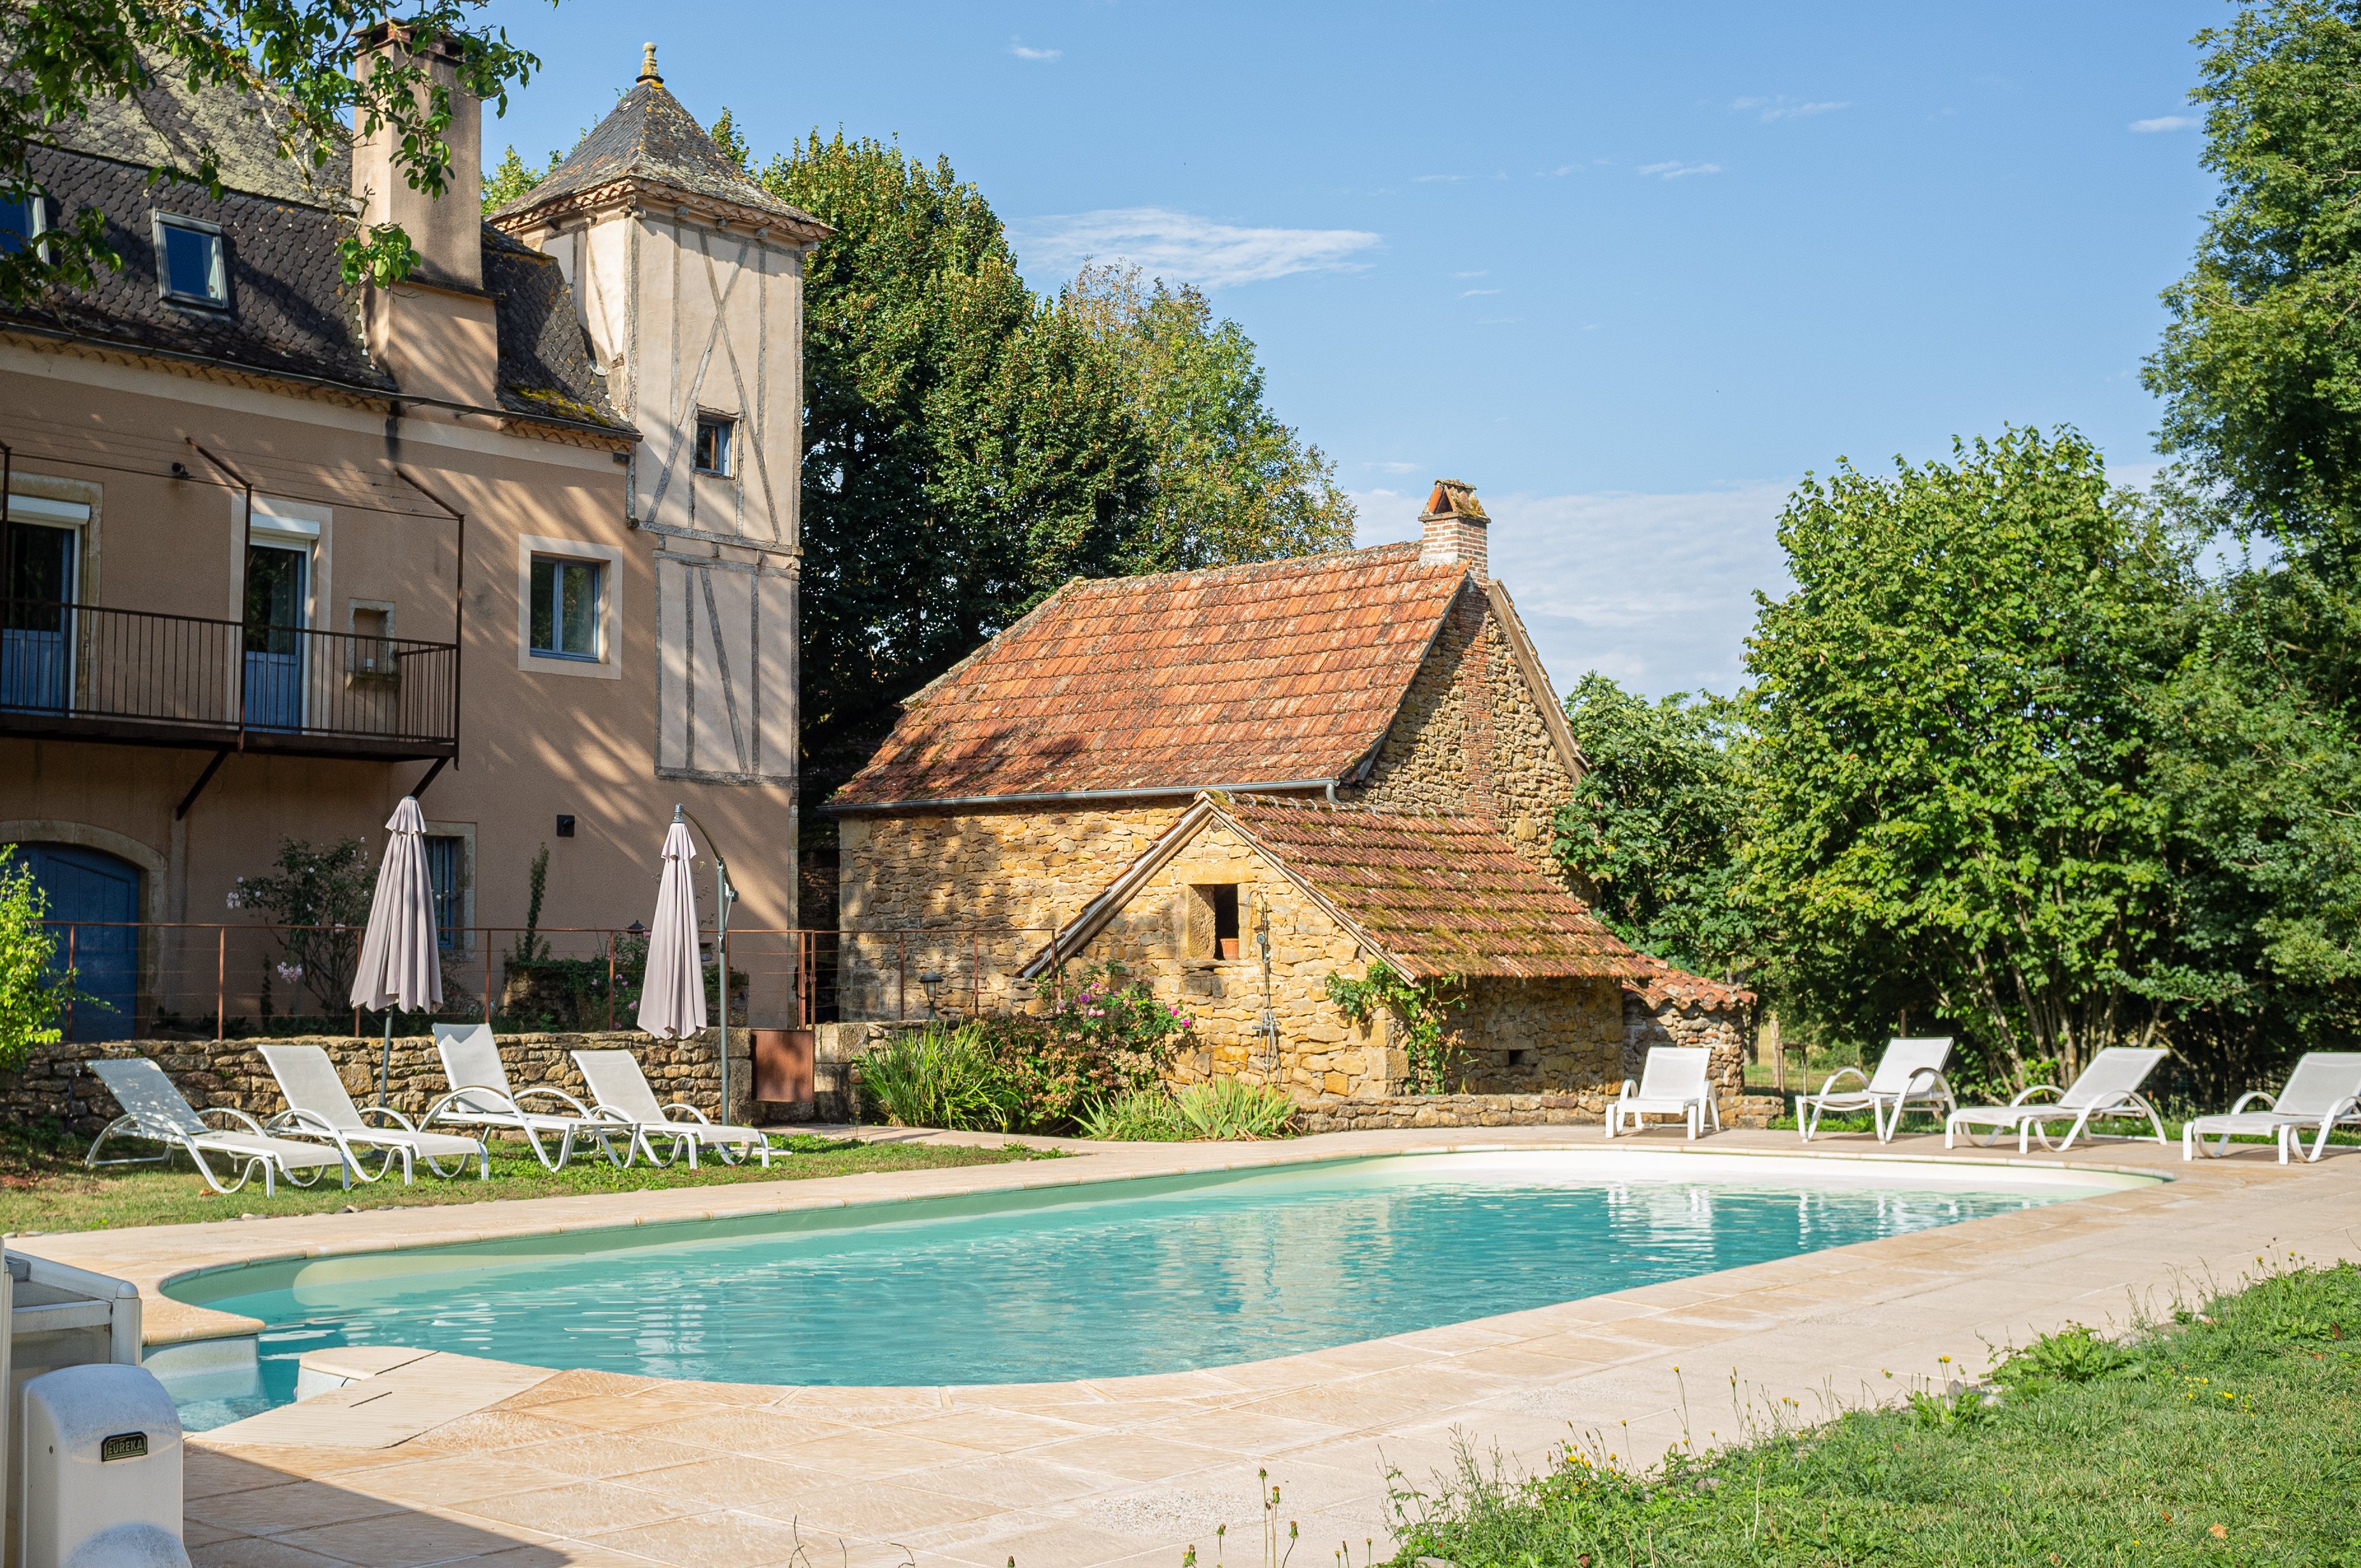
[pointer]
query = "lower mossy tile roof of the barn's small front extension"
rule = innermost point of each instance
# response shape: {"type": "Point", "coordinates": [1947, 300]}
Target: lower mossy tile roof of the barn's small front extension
{"type": "Point", "coordinates": [1444, 894]}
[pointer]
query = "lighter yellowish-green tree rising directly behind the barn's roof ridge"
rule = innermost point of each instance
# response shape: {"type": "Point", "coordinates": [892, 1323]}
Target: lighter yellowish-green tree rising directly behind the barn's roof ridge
{"type": "Point", "coordinates": [1229, 481]}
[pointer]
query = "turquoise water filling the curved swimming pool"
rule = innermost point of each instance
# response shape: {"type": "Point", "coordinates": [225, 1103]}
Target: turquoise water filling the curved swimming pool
{"type": "Point", "coordinates": [1090, 1281]}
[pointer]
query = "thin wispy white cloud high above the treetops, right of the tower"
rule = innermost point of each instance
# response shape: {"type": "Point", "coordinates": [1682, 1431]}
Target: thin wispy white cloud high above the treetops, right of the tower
{"type": "Point", "coordinates": [1186, 249]}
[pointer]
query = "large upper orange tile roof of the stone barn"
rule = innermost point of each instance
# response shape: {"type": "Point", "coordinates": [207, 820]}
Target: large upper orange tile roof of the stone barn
{"type": "Point", "coordinates": [1184, 681]}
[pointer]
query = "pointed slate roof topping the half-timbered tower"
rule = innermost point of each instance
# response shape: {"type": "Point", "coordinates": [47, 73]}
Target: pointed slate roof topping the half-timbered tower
{"type": "Point", "coordinates": [653, 143]}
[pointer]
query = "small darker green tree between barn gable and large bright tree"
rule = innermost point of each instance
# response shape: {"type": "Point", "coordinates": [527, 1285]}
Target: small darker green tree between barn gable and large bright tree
{"type": "Point", "coordinates": [1654, 823]}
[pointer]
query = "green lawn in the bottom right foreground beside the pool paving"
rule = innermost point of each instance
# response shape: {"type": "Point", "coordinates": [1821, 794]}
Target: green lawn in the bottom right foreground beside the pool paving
{"type": "Point", "coordinates": [2228, 1435]}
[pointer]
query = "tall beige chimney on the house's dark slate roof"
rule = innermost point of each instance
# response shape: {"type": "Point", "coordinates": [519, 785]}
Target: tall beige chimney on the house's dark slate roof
{"type": "Point", "coordinates": [436, 329]}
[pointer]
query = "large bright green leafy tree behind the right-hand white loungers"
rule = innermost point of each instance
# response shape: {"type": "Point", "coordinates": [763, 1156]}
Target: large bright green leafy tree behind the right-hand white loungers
{"type": "Point", "coordinates": [1947, 783]}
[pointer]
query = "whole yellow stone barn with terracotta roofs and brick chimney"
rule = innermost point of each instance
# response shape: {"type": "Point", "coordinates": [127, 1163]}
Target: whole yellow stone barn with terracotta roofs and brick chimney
{"type": "Point", "coordinates": [1309, 724]}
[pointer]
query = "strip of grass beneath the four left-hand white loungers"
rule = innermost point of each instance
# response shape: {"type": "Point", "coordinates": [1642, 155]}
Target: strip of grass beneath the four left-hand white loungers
{"type": "Point", "coordinates": [44, 1184]}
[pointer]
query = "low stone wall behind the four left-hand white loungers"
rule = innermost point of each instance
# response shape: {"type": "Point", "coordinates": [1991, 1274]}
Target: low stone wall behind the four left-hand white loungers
{"type": "Point", "coordinates": [233, 1073]}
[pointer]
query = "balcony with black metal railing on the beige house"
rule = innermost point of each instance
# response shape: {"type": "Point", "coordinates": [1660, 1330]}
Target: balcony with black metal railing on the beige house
{"type": "Point", "coordinates": [133, 677]}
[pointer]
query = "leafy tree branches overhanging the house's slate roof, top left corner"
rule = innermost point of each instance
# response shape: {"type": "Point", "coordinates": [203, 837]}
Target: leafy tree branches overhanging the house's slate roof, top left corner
{"type": "Point", "coordinates": [70, 55]}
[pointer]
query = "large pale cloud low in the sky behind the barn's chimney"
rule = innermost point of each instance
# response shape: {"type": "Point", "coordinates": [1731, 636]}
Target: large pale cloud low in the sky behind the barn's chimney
{"type": "Point", "coordinates": [1656, 592]}
